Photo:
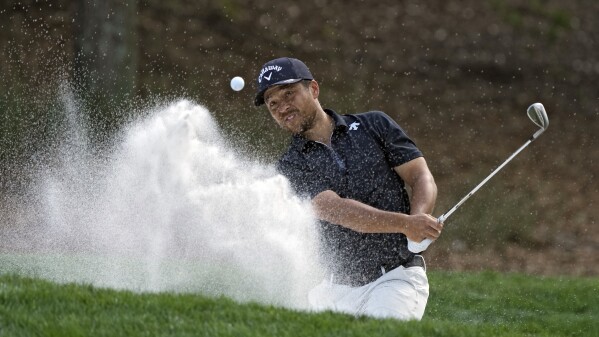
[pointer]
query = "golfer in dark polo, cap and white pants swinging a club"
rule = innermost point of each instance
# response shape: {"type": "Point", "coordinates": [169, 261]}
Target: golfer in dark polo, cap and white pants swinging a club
{"type": "Point", "coordinates": [355, 169]}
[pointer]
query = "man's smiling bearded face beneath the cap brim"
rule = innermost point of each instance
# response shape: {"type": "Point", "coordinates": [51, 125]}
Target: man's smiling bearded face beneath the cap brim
{"type": "Point", "coordinates": [293, 106]}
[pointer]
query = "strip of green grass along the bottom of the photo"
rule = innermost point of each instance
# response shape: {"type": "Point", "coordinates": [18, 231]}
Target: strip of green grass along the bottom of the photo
{"type": "Point", "coordinates": [461, 304]}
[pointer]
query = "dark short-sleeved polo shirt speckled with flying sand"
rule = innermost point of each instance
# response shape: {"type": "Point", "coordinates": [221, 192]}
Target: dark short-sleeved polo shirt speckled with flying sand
{"type": "Point", "coordinates": [359, 165]}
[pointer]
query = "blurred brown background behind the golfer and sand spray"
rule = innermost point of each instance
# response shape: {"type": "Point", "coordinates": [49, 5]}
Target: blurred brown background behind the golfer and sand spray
{"type": "Point", "coordinates": [457, 75]}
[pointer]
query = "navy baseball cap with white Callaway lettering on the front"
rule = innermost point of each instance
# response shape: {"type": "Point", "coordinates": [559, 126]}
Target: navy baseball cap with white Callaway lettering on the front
{"type": "Point", "coordinates": [279, 71]}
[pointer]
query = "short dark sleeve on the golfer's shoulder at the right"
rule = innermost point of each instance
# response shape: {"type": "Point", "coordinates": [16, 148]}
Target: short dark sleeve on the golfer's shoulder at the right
{"type": "Point", "coordinates": [398, 147]}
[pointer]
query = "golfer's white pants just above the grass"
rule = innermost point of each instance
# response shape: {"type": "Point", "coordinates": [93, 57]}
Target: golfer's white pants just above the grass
{"type": "Point", "coordinates": [401, 293]}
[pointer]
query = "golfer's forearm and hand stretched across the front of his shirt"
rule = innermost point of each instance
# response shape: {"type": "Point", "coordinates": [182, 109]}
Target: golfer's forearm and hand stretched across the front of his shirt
{"type": "Point", "coordinates": [366, 219]}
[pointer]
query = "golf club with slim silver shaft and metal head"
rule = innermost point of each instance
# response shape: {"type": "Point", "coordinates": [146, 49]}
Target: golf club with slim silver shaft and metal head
{"type": "Point", "coordinates": [536, 112]}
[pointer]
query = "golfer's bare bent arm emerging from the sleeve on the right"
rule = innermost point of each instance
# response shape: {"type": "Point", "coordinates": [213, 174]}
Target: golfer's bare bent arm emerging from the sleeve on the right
{"type": "Point", "coordinates": [419, 178]}
